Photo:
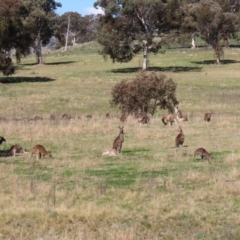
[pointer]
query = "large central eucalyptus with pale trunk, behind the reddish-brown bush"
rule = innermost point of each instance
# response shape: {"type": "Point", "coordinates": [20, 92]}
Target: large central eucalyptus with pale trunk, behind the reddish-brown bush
{"type": "Point", "coordinates": [128, 26]}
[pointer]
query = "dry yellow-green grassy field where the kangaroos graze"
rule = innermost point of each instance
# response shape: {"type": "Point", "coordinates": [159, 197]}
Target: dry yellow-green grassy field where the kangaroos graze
{"type": "Point", "coordinates": [152, 190]}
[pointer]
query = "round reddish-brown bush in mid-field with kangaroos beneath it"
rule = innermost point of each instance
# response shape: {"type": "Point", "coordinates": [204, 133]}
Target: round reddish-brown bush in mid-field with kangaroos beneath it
{"type": "Point", "coordinates": [148, 91]}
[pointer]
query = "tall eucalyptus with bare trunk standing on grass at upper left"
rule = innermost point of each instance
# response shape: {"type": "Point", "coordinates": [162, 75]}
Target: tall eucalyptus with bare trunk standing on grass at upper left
{"type": "Point", "coordinates": [41, 22]}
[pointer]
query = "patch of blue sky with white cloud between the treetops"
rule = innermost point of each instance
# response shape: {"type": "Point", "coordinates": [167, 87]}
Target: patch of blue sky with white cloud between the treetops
{"type": "Point", "coordinates": [84, 7]}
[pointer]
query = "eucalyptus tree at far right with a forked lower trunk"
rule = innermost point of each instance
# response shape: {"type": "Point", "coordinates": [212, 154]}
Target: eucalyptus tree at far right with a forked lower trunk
{"type": "Point", "coordinates": [212, 22]}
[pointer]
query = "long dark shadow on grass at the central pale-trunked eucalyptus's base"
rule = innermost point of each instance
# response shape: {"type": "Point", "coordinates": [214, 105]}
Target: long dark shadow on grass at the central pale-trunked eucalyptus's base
{"type": "Point", "coordinates": [159, 69]}
